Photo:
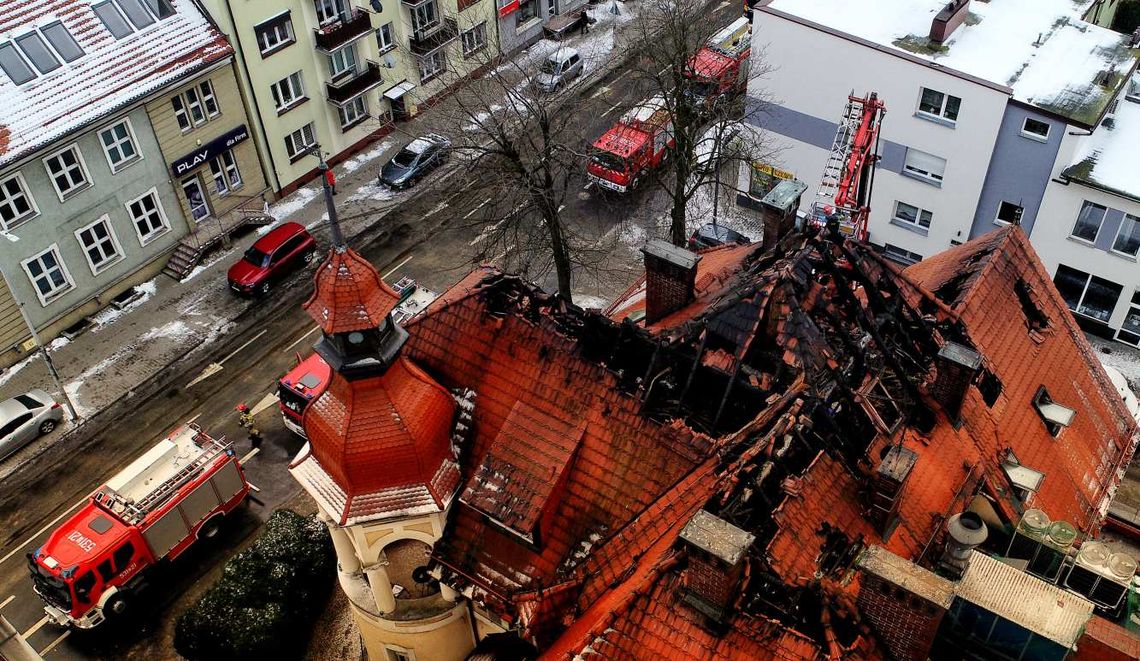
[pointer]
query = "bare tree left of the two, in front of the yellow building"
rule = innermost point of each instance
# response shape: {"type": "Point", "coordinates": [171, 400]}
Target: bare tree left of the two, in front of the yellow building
{"type": "Point", "coordinates": [523, 146]}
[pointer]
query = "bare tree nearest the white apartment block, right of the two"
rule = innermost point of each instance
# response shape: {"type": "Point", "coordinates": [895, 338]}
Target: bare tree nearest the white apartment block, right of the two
{"type": "Point", "coordinates": [711, 130]}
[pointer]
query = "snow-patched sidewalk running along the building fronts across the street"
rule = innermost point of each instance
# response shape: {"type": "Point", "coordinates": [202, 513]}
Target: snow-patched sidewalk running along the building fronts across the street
{"type": "Point", "coordinates": [182, 320]}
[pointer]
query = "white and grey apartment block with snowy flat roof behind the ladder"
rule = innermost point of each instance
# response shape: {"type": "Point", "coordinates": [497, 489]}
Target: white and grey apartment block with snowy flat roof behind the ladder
{"type": "Point", "coordinates": [982, 102]}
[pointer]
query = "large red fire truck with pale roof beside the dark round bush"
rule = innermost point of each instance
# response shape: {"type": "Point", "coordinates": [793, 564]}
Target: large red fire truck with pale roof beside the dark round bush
{"type": "Point", "coordinates": [153, 510]}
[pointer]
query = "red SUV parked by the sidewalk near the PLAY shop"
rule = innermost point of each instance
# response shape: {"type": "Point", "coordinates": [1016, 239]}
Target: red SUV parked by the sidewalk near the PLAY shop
{"type": "Point", "coordinates": [274, 257]}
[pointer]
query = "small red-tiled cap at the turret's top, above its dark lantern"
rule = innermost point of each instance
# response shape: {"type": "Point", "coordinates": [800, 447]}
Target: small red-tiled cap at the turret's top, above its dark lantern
{"type": "Point", "coordinates": [349, 295]}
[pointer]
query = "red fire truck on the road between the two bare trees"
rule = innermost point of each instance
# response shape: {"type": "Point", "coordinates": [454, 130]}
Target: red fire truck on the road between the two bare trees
{"type": "Point", "coordinates": [640, 142]}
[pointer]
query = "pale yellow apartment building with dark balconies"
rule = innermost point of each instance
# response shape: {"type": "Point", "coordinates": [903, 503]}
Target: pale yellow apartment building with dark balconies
{"type": "Point", "coordinates": [340, 75]}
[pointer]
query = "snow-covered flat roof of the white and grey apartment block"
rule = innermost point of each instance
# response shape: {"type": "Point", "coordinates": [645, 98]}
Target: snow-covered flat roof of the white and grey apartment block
{"type": "Point", "coordinates": [1043, 50]}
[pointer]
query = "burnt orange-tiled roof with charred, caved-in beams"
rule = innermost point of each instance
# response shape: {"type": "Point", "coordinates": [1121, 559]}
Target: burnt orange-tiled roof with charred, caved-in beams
{"type": "Point", "coordinates": [812, 398]}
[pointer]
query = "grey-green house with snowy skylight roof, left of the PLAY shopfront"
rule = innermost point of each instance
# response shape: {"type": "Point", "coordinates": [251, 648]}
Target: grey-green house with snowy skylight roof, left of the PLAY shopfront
{"type": "Point", "coordinates": [87, 201]}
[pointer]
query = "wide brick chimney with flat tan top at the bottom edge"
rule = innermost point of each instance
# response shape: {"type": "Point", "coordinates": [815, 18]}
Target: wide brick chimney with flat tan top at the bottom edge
{"type": "Point", "coordinates": [903, 602]}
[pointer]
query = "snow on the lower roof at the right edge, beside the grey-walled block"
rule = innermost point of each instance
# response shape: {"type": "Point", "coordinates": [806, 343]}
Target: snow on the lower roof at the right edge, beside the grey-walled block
{"type": "Point", "coordinates": [1108, 159]}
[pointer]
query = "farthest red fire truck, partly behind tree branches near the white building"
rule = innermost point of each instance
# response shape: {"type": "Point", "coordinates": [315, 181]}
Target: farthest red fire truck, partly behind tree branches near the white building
{"type": "Point", "coordinates": [720, 70]}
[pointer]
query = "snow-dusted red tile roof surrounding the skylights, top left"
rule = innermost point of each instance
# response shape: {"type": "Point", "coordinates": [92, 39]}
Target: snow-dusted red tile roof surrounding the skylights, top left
{"type": "Point", "coordinates": [110, 75]}
